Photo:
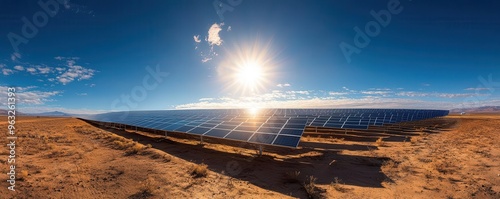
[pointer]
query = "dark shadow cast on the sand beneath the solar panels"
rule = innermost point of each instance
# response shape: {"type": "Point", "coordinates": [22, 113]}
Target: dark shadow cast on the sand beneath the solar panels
{"type": "Point", "coordinates": [321, 160]}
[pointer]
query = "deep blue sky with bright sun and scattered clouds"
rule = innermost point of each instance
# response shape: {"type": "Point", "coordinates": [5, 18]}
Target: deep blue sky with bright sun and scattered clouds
{"type": "Point", "coordinates": [93, 56]}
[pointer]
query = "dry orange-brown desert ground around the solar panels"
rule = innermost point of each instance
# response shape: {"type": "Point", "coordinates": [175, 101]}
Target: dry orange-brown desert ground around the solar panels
{"type": "Point", "coordinates": [452, 157]}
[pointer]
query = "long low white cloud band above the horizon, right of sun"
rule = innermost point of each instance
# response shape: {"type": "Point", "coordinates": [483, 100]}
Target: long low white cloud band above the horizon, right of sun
{"type": "Point", "coordinates": [346, 99]}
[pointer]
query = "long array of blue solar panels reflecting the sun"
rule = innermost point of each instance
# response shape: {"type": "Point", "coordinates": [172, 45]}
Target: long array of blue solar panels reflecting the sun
{"type": "Point", "coordinates": [278, 127]}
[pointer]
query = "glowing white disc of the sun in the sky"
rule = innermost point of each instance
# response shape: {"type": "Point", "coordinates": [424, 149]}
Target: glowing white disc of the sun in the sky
{"type": "Point", "coordinates": [250, 75]}
